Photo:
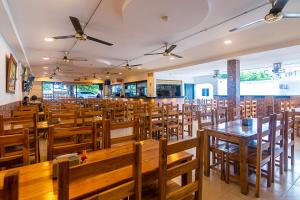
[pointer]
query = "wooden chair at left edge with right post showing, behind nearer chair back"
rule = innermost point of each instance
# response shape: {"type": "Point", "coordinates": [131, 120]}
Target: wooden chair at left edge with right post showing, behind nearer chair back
{"type": "Point", "coordinates": [29, 122]}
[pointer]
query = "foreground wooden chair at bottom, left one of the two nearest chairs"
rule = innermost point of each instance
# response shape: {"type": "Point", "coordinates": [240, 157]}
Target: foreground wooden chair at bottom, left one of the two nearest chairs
{"type": "Point", "coordinates": [67, 175]}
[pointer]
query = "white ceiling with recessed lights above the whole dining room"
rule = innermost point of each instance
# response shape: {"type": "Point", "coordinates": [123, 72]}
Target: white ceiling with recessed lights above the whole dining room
{"type": "Point", "coordinates": [135, 27]}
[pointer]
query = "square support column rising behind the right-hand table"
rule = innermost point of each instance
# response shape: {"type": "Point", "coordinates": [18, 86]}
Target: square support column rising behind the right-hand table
{"type": "Point", "coordinates": [233, 86]}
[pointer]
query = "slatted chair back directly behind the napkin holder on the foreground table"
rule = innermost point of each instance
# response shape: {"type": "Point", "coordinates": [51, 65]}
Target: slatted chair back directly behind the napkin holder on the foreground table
{"type": "Point", "coordinates": [70, 140]}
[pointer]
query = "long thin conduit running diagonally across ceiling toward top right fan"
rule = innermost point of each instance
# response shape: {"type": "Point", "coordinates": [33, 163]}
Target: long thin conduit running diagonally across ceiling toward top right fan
{"type": "Point", "coordinates": [201, 31]}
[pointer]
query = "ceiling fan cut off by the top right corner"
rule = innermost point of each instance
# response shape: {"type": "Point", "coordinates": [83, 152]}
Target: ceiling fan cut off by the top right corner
{"type": "Point", "coordinates": [274, 15]}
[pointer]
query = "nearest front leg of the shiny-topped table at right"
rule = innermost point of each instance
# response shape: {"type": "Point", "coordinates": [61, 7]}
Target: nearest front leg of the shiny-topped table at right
{"type": "Point", "coordinates": [244, 167]}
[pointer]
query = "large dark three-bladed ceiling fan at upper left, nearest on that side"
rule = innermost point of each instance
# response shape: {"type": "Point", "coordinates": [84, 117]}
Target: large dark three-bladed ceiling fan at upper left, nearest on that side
{"type": "Point", "coordinates": [80, 35]}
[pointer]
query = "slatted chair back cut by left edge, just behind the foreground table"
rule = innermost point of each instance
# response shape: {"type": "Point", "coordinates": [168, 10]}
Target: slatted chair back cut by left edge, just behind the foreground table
{"type": "Point", "coordinates": [12, 139]}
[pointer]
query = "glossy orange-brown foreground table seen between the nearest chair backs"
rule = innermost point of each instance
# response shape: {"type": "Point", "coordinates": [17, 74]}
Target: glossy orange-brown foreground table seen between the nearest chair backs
{"type": "Point", "coordinates": [35, 181]}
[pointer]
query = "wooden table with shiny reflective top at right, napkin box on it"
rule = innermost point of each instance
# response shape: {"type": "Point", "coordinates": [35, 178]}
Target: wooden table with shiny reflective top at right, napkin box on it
{"type": "Point", "coordinates": [234, 132]}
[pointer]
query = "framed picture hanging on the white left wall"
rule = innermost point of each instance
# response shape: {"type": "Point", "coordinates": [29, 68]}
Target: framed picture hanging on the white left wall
{"type": "Point", "coordinates": [11, 74]}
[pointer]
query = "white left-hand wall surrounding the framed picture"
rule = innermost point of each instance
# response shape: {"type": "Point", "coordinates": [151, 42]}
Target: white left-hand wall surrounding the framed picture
{"type": "Point", "coordinates": [6, 98]}
